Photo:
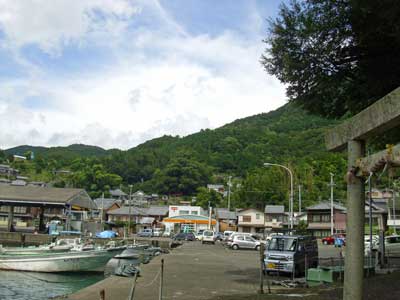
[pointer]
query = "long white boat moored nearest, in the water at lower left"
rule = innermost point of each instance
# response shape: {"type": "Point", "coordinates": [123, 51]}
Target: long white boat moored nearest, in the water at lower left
{"type": "Point", "coordinates": [82, 261]}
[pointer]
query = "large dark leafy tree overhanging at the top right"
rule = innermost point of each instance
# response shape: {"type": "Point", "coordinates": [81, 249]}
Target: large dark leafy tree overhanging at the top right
{"type": "Point", "coordinates": [336, 56]}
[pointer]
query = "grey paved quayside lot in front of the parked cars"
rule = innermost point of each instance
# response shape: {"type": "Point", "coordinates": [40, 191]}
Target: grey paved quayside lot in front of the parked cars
{"type": "Point", "coordinates": [192, 271]}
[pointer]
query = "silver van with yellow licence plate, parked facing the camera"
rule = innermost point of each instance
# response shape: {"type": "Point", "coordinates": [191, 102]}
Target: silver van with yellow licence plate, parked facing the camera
{"type": "Point", "coordinates": [288, 254]}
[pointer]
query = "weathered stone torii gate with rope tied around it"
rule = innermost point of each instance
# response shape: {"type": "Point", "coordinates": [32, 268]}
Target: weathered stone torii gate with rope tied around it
{"type": "Point", "coordinates": [376, 119]}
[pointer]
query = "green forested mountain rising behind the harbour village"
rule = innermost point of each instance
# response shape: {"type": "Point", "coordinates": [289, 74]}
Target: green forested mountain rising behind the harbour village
{"type": "Point", "coordinates": [182, 165]}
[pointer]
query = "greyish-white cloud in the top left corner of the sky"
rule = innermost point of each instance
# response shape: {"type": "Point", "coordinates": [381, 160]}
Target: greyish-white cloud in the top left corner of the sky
{"type": "Point", "coordinates": [54, 24]}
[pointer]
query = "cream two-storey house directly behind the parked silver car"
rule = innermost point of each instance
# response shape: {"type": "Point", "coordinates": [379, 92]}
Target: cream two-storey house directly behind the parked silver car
{"type": "Point", "coordinates": [251, 220]}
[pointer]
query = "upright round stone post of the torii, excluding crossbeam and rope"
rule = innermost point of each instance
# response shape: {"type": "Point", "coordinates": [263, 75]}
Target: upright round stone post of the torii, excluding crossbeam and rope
{"type": "Point", "coordinates": [354, 260]}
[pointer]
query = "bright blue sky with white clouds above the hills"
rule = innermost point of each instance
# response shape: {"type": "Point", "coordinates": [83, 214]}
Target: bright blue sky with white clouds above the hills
{"type": "Point", "coordinates": [115, 73]}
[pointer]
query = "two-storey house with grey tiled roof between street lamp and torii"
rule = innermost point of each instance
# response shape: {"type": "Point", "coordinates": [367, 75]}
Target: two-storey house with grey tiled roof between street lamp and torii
{"type": "Point", "coordinates": [319, 218]}
